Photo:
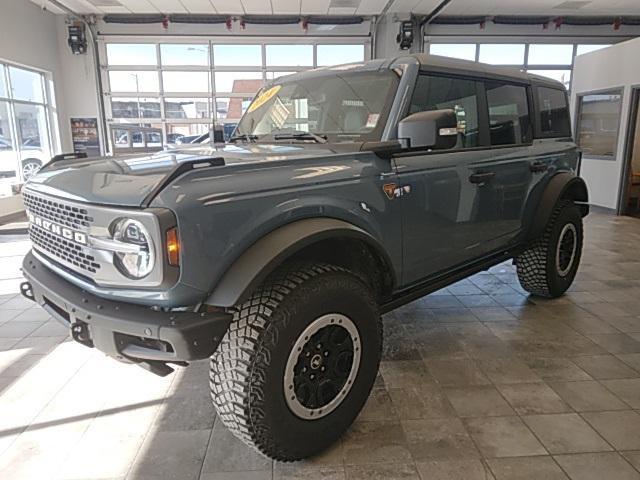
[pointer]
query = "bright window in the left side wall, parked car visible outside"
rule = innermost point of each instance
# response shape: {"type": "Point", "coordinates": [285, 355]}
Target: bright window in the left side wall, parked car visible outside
{"type": "Point", "coordinates": [28, 128]}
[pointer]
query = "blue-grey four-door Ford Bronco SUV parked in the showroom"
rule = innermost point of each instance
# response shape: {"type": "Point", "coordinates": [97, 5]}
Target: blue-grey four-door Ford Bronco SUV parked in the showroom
{"type": "Point", "coordinates": [344, 193]}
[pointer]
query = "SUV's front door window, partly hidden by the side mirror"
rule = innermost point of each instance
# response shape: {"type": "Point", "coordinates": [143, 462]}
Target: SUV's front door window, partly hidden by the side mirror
{"type": "Point", "coordinates": [458, 94]}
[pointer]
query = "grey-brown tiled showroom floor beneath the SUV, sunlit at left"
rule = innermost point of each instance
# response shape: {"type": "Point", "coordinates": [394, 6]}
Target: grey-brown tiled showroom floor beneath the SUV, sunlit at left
{"type": "Point", "coordinates": [477, 382]}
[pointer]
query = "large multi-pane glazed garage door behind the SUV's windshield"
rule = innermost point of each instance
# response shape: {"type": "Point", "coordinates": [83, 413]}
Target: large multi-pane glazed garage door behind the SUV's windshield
{"type": "Point", "coordinates": [187, 88]}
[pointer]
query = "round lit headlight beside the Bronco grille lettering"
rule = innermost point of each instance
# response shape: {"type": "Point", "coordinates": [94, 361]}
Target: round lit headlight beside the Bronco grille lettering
{"type": "Point", "coordinates": [137, 258]}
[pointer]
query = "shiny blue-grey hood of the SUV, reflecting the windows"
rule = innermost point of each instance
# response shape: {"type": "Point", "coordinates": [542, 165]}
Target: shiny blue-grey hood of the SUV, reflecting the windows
{"type": "Point", "coordinates": [128, 180]}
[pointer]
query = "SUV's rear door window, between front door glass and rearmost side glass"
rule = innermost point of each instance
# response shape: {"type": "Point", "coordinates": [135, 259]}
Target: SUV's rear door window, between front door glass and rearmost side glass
{"type": "Point", "coordinates": [509, 119]}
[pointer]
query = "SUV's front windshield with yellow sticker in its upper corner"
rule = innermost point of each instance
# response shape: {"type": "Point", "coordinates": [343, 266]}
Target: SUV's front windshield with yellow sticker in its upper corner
{"type": "Point", "coordinates": [339, 106]}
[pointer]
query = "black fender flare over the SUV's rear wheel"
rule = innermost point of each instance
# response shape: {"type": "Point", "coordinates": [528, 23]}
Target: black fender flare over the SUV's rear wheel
{"type": "Point", "coordinates": [563, 185]}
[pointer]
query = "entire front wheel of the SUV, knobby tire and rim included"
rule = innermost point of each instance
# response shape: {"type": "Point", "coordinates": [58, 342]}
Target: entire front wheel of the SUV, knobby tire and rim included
{"type": "Point", "coordinates": [298, 361]}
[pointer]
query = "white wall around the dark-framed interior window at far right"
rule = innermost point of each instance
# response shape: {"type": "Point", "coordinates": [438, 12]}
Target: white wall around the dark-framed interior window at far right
{"type": "Point", "coordinates": [611, 68]}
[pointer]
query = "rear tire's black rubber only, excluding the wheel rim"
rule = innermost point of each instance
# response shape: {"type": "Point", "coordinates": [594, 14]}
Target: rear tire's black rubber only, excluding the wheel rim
{"type": "Point", "coordinates": [536, 266]}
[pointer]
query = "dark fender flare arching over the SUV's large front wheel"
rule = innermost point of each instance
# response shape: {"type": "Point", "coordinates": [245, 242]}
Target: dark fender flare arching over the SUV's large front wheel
{"type": "Point", "coordinates": [265, 255]}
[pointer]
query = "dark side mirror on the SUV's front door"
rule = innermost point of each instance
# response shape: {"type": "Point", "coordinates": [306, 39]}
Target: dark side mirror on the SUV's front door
{"type": "Point", "coordinates": [435, 129]}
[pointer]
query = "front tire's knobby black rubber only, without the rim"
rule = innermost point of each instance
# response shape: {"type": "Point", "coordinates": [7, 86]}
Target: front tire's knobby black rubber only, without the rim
{"type": "Point", "coordinates": [247, 369]}
